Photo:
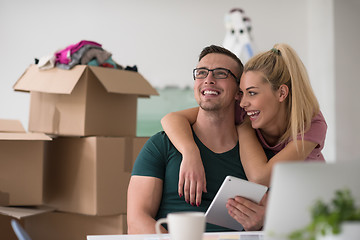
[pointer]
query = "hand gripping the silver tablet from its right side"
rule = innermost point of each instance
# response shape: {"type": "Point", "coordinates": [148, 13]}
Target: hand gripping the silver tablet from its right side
{"type": "Point", "coordinates": [249, 214]}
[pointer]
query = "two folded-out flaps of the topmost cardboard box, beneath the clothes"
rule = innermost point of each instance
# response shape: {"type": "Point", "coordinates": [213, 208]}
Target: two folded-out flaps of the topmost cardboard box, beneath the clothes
{"type": "Point", "coordinates": [60, 81]}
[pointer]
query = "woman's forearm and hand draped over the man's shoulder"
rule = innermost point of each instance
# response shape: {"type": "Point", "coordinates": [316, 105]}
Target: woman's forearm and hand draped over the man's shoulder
{"type": "Point", "coordinates": [192, 181]}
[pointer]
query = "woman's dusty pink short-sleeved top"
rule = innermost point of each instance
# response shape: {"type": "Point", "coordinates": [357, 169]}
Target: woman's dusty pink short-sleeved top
{"type": "Point", "coordinates": [316, 133]}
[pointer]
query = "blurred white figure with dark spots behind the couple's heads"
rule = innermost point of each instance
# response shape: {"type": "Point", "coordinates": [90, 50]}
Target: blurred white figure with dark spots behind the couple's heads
{"type": "Point", "coordinates": [238, 37]}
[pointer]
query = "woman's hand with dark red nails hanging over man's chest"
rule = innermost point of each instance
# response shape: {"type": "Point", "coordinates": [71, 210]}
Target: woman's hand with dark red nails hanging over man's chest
{"type": "Point", "coordinates": [192, 181]}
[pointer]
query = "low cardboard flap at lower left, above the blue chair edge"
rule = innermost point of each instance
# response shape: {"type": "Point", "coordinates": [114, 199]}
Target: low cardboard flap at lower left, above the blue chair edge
{"type": "Point", "coordinates": [23, 212]}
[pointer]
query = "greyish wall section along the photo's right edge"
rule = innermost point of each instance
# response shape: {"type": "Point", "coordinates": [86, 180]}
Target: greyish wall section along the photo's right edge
{"type": "Point", "coordinates": [347, 84]}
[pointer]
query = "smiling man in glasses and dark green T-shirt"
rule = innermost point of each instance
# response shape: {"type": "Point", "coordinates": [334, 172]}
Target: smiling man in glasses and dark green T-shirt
{"type": "Point", "coordinates": [153, 188]}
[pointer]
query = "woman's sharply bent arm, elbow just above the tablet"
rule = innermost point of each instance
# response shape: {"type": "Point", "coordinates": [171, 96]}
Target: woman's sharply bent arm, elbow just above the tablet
{"type": "Point", "coordinates": [256, 165]}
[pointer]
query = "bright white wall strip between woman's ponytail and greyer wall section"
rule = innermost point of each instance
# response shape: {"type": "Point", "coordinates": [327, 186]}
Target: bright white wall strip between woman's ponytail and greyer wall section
{"type": "Point", "coordinates": [321, 62]}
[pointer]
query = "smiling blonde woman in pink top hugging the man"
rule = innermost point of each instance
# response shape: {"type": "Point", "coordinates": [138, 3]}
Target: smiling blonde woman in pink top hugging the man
{"type": "Point", "coordinates": [279, 111]}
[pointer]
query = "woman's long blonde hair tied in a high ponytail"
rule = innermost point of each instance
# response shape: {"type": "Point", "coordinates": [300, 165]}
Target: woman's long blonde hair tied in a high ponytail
{"type": "Point", "coordinates": [281, 65]}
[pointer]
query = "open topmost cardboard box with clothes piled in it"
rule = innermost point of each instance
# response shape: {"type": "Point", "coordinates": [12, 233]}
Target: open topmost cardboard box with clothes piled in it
{"type": "Point", "coordinates": [83, 101]}
